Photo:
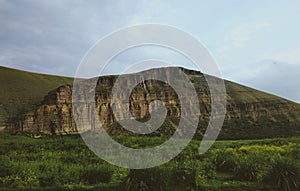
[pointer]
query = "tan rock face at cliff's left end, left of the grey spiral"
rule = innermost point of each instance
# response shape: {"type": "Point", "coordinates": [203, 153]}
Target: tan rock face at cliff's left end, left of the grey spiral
{"type": "Point", "coordinates": [54, 115]}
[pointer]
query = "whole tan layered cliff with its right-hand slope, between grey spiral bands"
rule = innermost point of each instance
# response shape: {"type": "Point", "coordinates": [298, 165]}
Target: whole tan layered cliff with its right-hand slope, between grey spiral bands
{"type": "Point", "coordinates": [250, 113]}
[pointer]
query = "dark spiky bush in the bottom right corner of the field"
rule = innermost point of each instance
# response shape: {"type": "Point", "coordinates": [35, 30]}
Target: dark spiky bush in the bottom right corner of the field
{"type": "Point", "coordinates": [283, 175]}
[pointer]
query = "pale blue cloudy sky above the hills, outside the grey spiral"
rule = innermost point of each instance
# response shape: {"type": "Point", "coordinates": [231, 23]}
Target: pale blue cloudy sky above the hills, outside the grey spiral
{"type": "Point", "coordinates": [255, 43]}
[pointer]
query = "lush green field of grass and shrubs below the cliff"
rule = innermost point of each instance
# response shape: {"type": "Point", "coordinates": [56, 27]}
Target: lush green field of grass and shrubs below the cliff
{"type": "Point", "coordinates": [65, 163]}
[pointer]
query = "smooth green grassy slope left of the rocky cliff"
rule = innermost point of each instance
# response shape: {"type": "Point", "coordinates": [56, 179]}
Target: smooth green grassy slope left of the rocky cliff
{"type": "Point", "coordinates": [22, 91]}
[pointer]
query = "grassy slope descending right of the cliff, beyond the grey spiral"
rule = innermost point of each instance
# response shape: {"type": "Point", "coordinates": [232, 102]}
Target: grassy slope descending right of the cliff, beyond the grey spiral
{"type": "Point", "coordinates": [261, 114]}
